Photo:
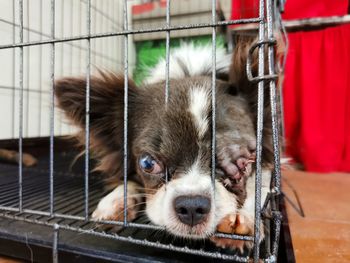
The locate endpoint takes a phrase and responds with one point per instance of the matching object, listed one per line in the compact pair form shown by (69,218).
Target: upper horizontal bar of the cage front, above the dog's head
(131,32)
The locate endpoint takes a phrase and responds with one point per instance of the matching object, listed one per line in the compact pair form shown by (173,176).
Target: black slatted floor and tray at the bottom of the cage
(34,242)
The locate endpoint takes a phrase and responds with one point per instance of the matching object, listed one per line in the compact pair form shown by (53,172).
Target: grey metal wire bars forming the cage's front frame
(267,17)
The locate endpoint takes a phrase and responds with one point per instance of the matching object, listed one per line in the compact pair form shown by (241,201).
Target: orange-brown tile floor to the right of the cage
(323,235)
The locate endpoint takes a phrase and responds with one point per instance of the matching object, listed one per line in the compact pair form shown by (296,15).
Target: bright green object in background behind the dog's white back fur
(149,52)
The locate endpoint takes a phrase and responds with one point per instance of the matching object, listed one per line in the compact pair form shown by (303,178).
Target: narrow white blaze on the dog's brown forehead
(199,106)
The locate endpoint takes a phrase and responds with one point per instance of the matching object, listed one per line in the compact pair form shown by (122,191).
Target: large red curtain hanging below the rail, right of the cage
(317,99)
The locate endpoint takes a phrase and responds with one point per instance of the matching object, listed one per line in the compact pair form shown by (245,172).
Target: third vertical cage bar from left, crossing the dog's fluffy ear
(87,109)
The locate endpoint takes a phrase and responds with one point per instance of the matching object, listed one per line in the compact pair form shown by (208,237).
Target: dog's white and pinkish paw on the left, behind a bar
(111,207)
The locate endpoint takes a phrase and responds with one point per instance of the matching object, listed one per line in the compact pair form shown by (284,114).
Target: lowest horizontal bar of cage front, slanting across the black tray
(129,239)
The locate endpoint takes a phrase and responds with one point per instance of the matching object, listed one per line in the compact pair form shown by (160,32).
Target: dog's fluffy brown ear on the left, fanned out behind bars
(106,115)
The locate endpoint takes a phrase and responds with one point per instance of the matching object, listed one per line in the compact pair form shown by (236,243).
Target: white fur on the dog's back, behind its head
(190,60)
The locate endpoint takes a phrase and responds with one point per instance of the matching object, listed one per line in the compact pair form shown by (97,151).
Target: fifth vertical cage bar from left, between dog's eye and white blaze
(167,65)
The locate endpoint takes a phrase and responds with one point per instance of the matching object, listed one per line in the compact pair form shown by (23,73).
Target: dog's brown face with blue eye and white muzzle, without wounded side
(174,144)
